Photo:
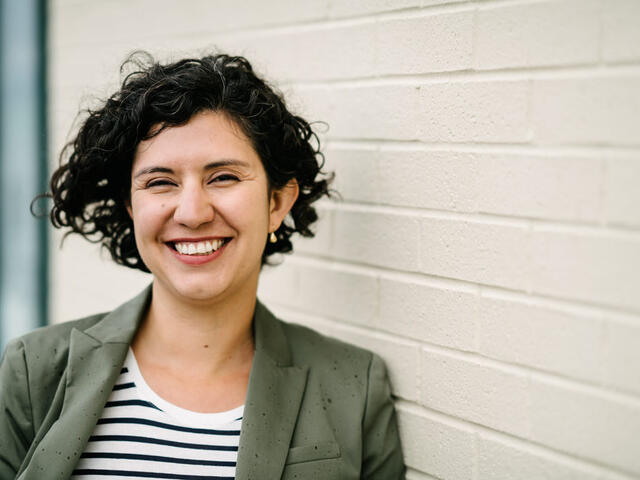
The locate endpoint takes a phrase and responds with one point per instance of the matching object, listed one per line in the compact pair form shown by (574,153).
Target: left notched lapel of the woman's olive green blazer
(95,359)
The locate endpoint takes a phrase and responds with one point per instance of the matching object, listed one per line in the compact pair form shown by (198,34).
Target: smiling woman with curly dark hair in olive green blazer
(196,172)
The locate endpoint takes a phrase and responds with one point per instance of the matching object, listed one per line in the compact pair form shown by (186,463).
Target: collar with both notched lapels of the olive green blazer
(276,387)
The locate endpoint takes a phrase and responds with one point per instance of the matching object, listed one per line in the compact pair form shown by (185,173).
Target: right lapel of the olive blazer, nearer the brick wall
(273,401)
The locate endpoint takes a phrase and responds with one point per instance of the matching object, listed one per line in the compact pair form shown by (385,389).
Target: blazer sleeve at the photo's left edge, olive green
(16,425)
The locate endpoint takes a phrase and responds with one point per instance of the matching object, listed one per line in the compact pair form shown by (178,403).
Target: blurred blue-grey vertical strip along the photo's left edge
(22,158)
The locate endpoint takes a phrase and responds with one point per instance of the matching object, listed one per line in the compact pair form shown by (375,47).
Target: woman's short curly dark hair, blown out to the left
(91,187)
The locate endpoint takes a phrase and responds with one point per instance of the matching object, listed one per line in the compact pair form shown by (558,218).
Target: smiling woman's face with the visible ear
(202,210)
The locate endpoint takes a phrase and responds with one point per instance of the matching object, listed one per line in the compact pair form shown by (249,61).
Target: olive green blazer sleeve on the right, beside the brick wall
(382,452)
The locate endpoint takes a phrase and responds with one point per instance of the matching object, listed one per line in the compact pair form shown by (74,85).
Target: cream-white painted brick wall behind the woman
(487,244)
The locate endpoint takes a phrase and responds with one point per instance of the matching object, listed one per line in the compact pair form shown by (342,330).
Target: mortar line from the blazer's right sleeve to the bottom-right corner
(520,443)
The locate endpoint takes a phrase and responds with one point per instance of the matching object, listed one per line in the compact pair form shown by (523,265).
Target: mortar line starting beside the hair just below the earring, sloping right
(568,306)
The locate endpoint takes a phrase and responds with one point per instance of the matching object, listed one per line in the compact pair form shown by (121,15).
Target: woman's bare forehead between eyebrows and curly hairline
(207,137)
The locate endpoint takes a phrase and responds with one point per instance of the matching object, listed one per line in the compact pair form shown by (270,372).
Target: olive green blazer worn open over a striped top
(315,407)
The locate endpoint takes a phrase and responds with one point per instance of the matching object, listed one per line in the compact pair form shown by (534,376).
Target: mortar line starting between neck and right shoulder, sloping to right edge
(605,392)
